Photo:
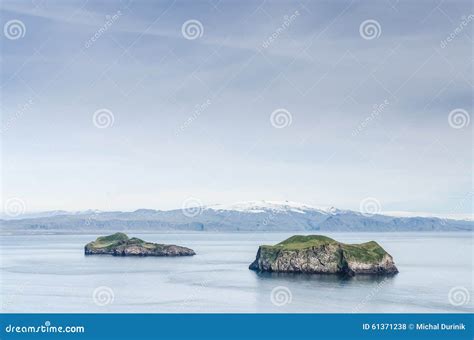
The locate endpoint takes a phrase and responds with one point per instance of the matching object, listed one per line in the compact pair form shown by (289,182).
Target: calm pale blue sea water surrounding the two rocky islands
(49,273)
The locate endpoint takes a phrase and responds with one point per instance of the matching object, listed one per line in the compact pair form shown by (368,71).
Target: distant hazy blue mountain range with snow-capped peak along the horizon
(245,216)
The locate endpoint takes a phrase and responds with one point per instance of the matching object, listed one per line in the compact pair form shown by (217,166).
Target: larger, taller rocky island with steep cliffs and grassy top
(316,254)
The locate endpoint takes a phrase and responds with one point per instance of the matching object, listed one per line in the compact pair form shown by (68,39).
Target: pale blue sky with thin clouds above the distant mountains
(120,105)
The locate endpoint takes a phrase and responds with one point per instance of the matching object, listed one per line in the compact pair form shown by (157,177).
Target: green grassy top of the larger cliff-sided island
(366,252)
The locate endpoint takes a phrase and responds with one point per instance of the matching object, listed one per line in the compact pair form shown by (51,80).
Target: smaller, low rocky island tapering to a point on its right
(119,244)
